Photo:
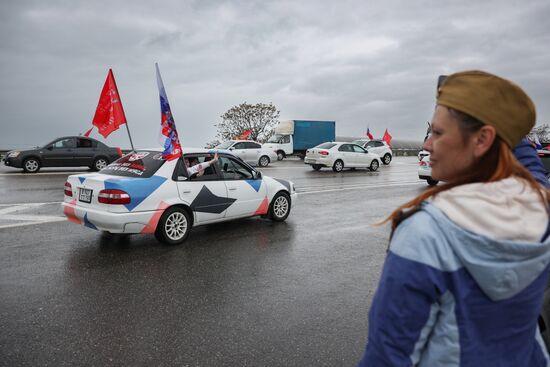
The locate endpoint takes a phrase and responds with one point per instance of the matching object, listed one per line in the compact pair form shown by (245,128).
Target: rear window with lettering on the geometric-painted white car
(136,164)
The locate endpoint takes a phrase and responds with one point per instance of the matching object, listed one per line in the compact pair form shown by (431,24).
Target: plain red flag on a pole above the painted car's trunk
(109,114)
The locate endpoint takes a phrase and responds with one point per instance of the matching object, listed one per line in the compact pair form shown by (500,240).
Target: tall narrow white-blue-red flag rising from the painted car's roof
(168,134)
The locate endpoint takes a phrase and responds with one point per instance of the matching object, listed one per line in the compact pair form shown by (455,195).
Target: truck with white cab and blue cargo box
(294,137)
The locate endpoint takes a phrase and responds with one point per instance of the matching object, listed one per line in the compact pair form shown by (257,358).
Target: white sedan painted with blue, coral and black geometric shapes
(143,193)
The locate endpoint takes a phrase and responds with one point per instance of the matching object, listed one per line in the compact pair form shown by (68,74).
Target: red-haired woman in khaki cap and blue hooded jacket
(468,262)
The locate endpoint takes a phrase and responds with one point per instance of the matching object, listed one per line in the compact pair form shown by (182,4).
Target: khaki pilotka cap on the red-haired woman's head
(492,100)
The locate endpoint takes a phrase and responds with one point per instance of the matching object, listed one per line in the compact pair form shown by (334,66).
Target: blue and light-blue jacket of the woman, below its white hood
(451,297)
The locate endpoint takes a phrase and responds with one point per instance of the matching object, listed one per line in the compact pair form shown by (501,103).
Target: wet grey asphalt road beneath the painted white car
(249,292)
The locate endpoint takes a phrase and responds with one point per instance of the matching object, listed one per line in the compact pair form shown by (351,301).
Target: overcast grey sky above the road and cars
(356,62)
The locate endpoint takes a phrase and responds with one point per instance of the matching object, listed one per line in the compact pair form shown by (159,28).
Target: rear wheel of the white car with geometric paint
(174,226)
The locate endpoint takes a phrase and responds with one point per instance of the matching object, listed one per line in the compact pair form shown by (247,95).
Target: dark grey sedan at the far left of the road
(68,151)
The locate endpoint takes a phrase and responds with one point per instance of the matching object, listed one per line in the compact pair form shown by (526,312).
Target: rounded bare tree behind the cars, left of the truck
(260,118)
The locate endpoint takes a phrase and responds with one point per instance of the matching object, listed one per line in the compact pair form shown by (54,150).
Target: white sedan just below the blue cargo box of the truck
(340,156)
